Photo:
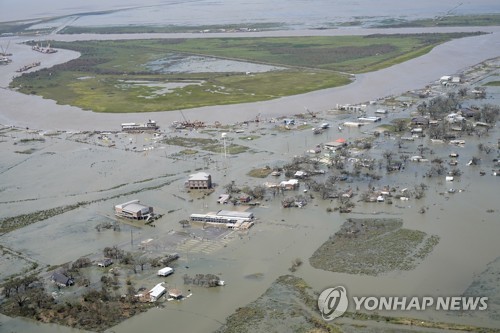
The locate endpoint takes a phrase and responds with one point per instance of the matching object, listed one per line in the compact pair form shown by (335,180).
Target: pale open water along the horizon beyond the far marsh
(291,13)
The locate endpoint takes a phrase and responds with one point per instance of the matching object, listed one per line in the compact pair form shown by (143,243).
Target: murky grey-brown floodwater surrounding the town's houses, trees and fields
(268,249)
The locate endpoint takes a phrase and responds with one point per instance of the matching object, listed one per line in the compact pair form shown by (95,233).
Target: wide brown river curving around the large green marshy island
(447,59)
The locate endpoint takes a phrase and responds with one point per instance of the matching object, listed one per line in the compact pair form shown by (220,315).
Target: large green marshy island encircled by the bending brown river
(112,76)
